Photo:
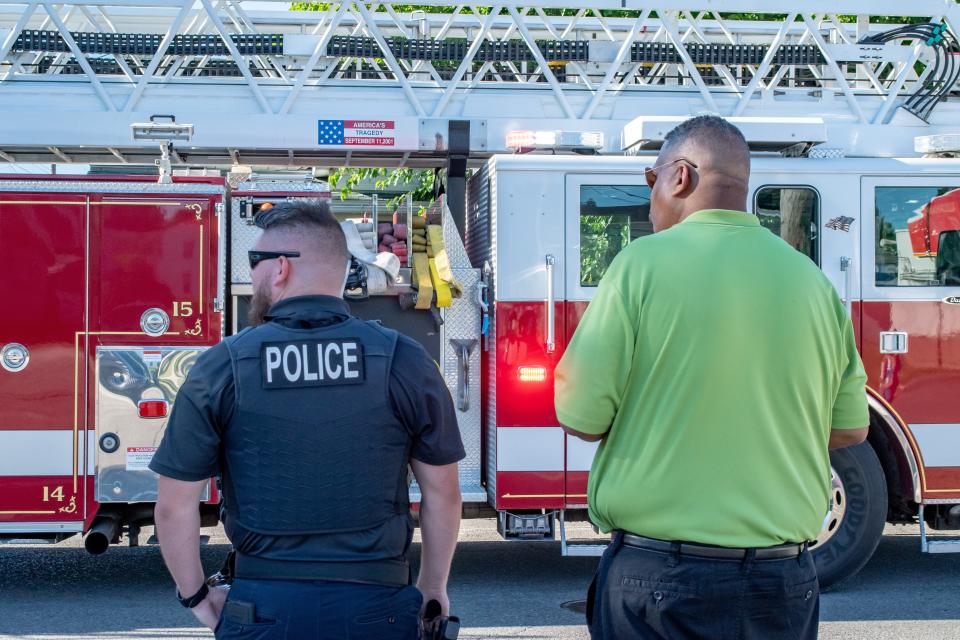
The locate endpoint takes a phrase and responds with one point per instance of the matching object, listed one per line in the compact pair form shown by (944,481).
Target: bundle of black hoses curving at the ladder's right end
(946,68)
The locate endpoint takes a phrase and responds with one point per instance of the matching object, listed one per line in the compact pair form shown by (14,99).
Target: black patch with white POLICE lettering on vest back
(311,363)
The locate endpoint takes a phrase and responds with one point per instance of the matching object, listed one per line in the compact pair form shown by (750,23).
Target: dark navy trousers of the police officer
(279,609)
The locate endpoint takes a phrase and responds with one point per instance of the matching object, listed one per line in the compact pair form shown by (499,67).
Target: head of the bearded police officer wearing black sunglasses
(312,230)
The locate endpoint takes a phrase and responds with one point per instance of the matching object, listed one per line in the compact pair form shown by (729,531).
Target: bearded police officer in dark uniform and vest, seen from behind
(311,417)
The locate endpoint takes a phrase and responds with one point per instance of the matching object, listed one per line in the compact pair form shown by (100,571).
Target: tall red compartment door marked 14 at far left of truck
(43,239)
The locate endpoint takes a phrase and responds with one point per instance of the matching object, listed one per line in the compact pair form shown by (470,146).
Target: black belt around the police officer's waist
(388,573)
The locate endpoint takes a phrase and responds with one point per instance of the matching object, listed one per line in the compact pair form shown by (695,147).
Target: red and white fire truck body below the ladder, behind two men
(133,279)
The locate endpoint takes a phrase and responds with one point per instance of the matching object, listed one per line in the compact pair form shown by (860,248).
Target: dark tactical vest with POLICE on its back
(314,445)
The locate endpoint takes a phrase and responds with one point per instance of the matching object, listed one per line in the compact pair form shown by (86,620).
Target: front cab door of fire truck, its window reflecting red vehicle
(911,285)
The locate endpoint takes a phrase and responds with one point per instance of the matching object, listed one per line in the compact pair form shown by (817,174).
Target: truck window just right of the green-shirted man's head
(791,213)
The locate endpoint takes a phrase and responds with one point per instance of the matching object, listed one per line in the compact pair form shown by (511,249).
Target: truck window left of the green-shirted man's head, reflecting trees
(611,216)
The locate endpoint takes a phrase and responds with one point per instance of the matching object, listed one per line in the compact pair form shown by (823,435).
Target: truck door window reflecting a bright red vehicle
(917,236)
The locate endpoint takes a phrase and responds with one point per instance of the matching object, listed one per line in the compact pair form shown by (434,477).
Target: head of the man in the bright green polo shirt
(704,164)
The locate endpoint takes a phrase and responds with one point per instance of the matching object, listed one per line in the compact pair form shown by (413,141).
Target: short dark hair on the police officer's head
(312,219)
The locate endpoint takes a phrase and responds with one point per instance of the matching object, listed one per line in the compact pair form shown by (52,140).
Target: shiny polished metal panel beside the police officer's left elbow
(125,441)
